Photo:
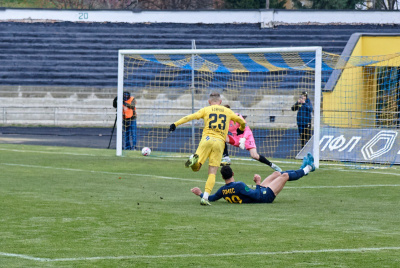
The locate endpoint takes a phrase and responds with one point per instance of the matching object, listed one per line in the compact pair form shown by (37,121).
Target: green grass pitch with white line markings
(67,207)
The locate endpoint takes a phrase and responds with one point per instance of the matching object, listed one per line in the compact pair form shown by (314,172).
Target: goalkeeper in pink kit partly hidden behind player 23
(244,141)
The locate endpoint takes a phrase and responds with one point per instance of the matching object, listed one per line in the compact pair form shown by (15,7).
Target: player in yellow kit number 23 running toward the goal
(216,124)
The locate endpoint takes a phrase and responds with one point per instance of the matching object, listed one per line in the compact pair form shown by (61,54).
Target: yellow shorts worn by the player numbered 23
(211,148)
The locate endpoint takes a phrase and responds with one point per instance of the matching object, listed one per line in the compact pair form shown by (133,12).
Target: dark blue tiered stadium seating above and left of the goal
(65,61)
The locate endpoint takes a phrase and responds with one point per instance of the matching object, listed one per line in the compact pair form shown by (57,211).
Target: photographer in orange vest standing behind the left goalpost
(129,120)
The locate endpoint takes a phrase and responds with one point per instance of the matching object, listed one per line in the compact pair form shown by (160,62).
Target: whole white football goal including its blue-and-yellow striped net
(261,83)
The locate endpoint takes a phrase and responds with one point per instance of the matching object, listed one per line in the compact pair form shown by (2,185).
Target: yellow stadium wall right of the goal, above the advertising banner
(359,45)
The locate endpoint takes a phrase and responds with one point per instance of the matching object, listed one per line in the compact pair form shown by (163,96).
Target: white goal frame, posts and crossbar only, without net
(317,100)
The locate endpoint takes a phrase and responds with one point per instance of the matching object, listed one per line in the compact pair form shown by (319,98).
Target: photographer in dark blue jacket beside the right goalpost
(304,108)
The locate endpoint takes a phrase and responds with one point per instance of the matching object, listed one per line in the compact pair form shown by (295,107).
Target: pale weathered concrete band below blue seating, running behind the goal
(154,111)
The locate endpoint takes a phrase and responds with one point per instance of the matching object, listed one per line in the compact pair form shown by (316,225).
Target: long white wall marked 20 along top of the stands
(265,17)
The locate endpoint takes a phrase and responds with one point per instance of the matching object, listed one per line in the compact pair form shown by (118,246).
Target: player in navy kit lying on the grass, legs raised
(265,192)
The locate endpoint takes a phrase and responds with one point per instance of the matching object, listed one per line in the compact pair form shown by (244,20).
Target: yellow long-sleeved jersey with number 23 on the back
(216,120)
